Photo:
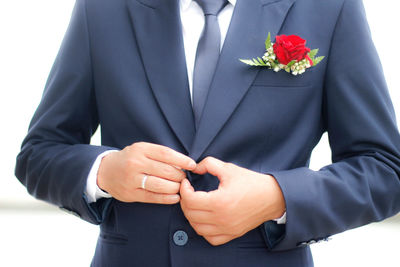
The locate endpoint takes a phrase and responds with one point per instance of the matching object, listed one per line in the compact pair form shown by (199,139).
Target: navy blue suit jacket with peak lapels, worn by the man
(122,66)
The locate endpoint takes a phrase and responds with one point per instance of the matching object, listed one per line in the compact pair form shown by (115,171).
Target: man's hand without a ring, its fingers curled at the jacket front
(244,200)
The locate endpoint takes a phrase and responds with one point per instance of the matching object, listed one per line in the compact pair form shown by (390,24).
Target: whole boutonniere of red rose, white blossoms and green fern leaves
(288,53)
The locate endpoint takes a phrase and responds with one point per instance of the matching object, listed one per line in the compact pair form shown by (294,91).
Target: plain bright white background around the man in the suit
(34,235)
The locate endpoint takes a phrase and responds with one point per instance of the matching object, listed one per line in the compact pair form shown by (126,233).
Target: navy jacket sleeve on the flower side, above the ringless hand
(362,184)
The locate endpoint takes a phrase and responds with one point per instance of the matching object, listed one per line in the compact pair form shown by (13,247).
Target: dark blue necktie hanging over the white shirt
(207,54)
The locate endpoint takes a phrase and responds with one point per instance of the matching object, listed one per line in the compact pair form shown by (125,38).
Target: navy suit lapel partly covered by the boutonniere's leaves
(250,24)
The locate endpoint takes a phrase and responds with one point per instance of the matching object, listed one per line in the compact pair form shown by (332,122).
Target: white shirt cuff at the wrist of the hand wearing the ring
(92,191)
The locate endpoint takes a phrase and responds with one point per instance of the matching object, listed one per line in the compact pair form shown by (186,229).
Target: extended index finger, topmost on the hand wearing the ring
(169,156)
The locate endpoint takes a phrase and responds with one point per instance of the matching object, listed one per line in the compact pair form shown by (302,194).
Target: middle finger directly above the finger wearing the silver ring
(163,170)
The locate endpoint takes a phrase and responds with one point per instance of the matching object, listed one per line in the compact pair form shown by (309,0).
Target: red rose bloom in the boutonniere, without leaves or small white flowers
(292,47)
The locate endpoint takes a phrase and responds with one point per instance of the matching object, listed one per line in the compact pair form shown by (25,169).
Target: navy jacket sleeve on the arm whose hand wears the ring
(56,157)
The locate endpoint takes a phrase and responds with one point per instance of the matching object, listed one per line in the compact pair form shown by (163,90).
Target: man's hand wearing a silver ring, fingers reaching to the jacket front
(121,173)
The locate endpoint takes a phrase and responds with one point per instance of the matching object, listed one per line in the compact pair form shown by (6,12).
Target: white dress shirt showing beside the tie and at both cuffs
(192,19)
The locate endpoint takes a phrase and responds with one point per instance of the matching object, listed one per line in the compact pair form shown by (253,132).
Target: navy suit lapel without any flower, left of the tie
(157,27)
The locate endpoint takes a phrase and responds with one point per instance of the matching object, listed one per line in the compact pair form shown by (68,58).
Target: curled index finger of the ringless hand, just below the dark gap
(195,200)
